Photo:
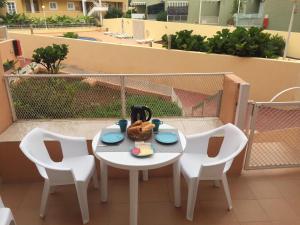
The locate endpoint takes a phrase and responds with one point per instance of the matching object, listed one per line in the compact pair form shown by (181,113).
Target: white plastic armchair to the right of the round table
(196,165)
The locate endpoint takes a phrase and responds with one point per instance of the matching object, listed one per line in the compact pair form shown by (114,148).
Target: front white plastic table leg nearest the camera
(134,182)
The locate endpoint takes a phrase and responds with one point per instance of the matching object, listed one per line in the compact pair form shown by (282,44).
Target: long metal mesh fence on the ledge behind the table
(112,95)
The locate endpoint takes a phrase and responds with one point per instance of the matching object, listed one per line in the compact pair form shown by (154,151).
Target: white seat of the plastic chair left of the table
(82,166)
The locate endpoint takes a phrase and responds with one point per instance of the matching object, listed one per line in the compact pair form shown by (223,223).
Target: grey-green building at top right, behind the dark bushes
(224,12)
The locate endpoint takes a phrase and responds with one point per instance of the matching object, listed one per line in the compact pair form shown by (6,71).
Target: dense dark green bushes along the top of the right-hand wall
(252,42)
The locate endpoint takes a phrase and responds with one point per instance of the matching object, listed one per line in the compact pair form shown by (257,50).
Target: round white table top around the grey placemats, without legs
(124,160)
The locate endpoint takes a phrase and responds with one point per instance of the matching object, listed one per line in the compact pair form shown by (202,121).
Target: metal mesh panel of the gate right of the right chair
(274,136)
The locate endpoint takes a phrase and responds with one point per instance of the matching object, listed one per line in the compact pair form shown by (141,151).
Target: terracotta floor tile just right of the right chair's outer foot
(249,211)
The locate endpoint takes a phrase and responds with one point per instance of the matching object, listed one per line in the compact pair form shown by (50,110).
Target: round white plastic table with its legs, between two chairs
(124,160)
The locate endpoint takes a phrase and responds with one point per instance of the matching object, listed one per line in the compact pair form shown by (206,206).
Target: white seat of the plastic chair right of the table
(191,163)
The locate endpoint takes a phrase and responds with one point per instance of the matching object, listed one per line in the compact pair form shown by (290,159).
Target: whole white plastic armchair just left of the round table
(76,167)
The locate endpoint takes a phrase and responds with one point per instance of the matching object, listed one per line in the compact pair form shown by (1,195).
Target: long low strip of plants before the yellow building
(22,19)
